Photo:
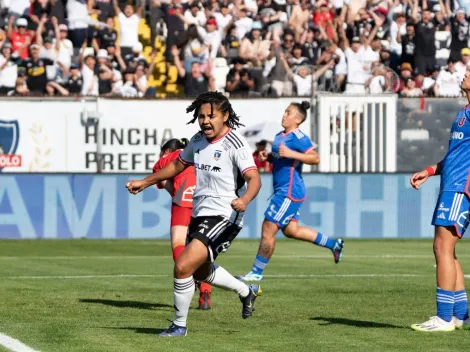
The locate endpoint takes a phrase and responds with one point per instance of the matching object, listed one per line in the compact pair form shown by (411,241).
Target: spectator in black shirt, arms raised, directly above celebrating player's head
(195,82)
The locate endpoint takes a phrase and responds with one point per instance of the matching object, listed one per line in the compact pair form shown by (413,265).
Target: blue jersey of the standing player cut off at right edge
(455,174)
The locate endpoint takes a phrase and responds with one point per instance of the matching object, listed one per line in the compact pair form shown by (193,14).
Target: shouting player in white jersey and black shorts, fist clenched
(223,163)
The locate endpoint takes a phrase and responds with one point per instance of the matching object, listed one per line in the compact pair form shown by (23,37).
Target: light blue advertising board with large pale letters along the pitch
(99,206)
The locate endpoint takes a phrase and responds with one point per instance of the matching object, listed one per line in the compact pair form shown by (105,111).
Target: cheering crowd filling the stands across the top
(244,47)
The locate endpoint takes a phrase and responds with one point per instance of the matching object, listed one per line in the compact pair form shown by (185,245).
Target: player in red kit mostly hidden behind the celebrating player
(181,189)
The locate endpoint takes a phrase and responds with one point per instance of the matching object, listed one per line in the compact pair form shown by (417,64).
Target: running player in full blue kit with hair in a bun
(291,148)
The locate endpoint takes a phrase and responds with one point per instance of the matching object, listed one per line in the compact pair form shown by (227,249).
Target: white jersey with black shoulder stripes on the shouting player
(219,165)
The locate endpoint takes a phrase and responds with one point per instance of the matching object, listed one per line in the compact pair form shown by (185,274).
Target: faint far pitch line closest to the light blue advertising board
(133,257)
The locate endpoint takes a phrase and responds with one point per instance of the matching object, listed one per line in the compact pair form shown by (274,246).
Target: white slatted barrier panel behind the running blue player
(357,133)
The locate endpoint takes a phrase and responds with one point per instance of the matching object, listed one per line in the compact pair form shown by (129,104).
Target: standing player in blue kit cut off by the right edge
(451,219)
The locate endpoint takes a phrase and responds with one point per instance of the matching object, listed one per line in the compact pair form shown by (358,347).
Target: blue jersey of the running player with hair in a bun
(287,173)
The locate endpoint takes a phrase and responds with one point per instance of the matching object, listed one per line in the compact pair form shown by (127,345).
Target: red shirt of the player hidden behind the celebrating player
(183,184)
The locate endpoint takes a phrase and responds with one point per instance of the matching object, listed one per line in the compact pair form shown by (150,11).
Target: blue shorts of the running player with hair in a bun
(282,210)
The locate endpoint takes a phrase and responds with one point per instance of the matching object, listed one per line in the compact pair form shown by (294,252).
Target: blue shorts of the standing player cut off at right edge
(452,209)
